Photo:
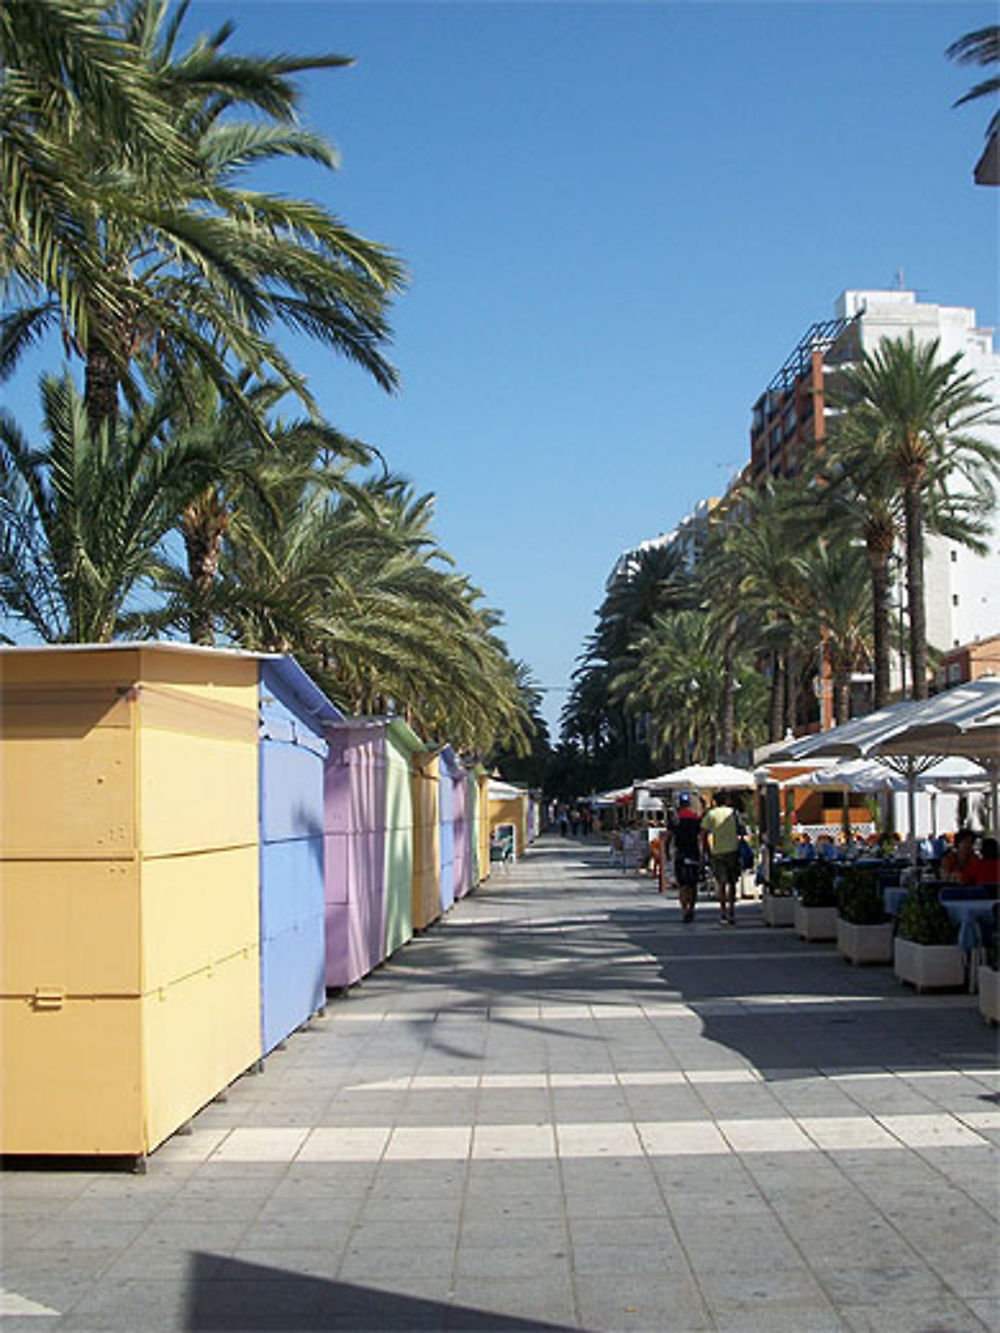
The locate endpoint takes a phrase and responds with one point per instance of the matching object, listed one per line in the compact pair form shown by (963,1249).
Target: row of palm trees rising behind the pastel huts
(173,493)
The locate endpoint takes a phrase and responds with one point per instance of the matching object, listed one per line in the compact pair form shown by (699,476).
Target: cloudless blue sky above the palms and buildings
(619,219)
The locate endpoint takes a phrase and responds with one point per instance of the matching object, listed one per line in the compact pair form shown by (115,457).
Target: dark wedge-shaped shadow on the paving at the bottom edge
(226,1294)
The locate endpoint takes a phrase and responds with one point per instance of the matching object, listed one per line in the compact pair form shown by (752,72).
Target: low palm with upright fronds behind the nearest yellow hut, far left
(83,517)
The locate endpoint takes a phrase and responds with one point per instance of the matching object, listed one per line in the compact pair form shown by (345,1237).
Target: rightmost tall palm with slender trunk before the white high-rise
(921,417)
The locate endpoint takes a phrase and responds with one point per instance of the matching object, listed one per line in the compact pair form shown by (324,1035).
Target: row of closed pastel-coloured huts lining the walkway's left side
(195,848)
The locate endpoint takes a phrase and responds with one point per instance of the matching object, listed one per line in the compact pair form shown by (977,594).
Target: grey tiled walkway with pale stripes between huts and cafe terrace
(561,1110)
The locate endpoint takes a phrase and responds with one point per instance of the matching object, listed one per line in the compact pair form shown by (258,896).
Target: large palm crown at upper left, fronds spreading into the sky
(170,257)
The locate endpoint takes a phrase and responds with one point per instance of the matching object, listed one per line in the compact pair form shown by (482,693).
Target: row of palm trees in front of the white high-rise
(793,590)
